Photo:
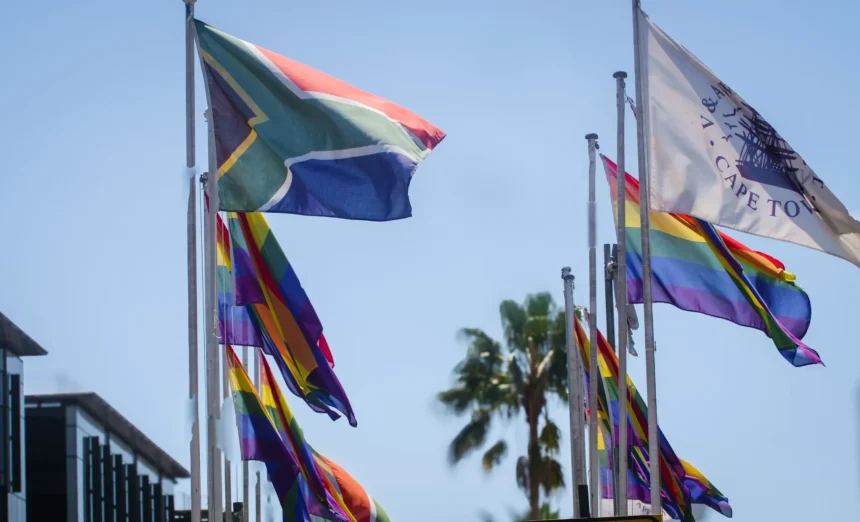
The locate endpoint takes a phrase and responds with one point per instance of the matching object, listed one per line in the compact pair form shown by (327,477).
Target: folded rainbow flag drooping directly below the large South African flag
(292,327)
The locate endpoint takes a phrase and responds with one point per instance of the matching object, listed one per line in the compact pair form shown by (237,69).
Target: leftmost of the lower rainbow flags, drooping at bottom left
(260,441)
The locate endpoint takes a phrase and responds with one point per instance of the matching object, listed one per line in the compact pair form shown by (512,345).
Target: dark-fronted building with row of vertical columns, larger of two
(87,463)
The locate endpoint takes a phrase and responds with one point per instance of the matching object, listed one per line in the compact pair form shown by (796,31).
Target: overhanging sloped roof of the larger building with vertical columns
(117,425)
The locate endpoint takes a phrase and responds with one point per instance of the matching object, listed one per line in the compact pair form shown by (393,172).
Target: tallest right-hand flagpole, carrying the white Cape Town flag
(645,218)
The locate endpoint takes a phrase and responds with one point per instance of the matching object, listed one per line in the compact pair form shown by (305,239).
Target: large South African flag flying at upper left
(292,139)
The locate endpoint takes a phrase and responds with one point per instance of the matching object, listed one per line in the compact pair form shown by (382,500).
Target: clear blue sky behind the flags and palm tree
(92,209)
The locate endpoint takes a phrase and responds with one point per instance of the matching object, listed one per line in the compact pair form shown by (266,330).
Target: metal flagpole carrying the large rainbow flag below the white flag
(594,372)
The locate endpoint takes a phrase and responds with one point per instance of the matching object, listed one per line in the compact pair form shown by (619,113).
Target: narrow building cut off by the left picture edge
(14,345)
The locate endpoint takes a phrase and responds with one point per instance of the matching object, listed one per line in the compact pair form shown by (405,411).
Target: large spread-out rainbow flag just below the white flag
(698,269)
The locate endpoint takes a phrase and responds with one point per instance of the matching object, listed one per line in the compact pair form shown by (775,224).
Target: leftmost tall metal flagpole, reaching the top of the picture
(190,162)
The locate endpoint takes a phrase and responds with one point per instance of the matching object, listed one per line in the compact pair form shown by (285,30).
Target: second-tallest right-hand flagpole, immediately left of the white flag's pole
(621,281)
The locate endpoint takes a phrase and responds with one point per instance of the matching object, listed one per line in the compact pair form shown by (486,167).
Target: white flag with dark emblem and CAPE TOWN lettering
(713,156)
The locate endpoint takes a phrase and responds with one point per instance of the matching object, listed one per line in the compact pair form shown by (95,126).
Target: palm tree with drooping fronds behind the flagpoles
(496,383)
